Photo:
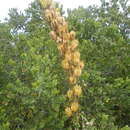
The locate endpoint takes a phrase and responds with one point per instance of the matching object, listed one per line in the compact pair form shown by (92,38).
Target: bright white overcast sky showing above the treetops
(5,5)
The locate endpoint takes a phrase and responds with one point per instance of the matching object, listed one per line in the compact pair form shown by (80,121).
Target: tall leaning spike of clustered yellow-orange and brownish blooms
(68,48)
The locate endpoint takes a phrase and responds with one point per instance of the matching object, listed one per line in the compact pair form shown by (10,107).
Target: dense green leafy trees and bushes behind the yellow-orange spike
(33,83)
